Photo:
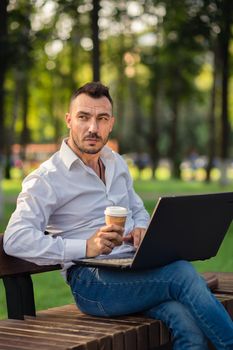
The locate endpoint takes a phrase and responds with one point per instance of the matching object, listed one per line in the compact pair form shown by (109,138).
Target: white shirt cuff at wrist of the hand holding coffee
(74,249)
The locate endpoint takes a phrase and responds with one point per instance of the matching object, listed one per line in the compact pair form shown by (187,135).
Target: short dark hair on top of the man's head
(94,89)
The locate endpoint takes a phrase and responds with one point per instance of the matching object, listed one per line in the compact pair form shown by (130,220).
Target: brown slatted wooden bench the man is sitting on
(68,328)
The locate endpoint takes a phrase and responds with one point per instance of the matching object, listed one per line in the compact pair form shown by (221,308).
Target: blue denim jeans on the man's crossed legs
(175,294)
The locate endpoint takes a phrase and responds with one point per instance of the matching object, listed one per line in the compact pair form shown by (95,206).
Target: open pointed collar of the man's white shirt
(69,157)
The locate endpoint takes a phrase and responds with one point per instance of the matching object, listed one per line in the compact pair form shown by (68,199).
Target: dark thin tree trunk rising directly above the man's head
(95,39)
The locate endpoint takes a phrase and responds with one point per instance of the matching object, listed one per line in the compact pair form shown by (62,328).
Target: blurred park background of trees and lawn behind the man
(169,66)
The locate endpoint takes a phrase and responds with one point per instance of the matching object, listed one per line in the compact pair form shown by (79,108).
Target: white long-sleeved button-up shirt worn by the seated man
(67,198)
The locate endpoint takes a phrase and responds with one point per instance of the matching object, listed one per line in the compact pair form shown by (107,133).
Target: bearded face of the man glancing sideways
(90,122)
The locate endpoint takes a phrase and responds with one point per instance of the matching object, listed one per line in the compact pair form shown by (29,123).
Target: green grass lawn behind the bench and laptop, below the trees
(50,289)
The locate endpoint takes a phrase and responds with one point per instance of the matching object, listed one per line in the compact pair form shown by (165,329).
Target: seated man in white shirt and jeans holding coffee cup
(67,196)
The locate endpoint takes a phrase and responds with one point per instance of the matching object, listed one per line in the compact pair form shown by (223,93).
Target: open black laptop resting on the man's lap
(190,227)
